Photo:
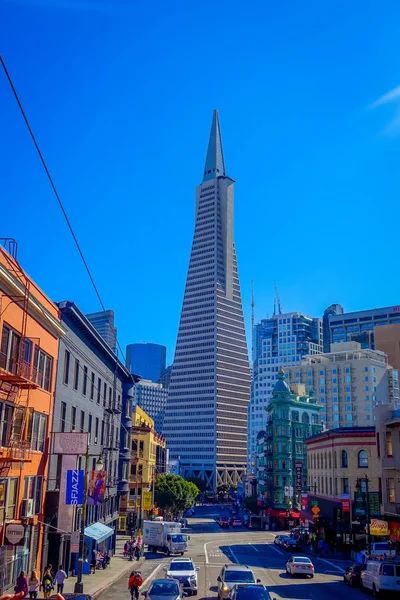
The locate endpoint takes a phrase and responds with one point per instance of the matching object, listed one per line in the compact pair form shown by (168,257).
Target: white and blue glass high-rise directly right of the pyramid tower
(280,341)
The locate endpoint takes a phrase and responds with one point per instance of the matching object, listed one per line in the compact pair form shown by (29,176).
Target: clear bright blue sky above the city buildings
(120,94)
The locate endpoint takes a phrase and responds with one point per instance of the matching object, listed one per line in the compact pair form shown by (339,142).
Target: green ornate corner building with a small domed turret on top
(281,463)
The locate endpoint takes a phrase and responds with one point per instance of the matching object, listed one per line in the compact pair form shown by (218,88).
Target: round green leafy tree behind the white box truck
(174,495)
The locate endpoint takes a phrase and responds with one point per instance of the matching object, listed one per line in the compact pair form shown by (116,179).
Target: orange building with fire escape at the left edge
(30,330)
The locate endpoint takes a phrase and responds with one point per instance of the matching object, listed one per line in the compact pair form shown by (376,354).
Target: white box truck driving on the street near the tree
(164,536)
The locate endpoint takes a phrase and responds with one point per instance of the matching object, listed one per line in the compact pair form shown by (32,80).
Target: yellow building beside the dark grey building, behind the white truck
(148,459)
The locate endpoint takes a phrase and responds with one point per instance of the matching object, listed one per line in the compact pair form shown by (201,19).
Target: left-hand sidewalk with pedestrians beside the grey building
(103,578)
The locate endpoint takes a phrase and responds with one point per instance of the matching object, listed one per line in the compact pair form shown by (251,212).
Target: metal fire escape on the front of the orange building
(17,374)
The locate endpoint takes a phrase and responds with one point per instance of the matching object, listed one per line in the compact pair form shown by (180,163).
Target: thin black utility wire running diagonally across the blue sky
(53,186)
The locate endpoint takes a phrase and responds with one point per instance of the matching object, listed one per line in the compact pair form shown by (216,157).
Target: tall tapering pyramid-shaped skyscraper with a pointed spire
(206,418)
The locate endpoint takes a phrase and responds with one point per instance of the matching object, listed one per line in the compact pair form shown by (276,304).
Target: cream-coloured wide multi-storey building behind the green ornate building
(348,383)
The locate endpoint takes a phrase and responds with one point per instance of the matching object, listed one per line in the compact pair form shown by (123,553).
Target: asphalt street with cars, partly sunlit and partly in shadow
(211,547)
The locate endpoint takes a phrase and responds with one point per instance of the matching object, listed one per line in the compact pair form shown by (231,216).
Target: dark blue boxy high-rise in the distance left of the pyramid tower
(147,360)
